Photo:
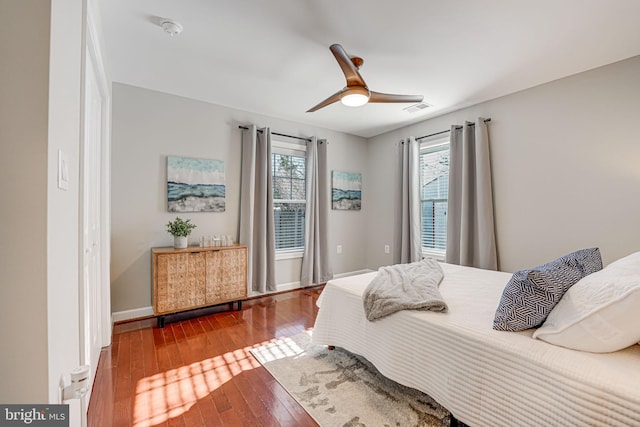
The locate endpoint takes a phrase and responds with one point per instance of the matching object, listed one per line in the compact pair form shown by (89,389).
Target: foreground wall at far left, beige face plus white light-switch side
(40,98)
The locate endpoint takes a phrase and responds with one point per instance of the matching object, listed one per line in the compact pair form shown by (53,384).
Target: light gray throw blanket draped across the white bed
(398,287)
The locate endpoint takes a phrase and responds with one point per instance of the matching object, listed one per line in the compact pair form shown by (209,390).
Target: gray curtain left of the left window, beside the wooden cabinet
(256,208)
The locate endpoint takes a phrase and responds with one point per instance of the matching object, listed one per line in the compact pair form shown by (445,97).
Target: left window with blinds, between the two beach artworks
(289,195)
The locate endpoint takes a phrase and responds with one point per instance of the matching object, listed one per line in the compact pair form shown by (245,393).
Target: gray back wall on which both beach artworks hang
(147,127)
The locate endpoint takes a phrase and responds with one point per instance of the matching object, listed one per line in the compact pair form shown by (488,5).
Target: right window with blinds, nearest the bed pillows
(434,188)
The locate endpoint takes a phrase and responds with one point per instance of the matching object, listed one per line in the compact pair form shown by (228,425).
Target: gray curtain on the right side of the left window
(316,264)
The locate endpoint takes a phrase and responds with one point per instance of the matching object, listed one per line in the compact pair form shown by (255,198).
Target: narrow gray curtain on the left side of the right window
(407,242)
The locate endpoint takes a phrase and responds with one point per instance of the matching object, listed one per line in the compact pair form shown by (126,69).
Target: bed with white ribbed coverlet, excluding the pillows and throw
(484,377)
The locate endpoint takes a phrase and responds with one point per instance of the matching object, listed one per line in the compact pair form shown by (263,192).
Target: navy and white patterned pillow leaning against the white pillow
(531,294)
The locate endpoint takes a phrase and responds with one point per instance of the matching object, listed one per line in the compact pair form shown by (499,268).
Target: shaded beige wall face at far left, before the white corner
(23,230)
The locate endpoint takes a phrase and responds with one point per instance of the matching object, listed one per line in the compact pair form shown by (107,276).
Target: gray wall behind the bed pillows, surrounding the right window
(566,168)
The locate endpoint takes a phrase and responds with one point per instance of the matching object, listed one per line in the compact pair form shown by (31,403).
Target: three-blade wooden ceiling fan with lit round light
(356,92)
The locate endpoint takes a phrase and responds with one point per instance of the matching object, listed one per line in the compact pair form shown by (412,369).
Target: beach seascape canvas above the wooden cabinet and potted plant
(195,185)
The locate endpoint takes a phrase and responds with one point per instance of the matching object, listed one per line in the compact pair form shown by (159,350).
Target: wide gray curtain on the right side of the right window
(470,227)
